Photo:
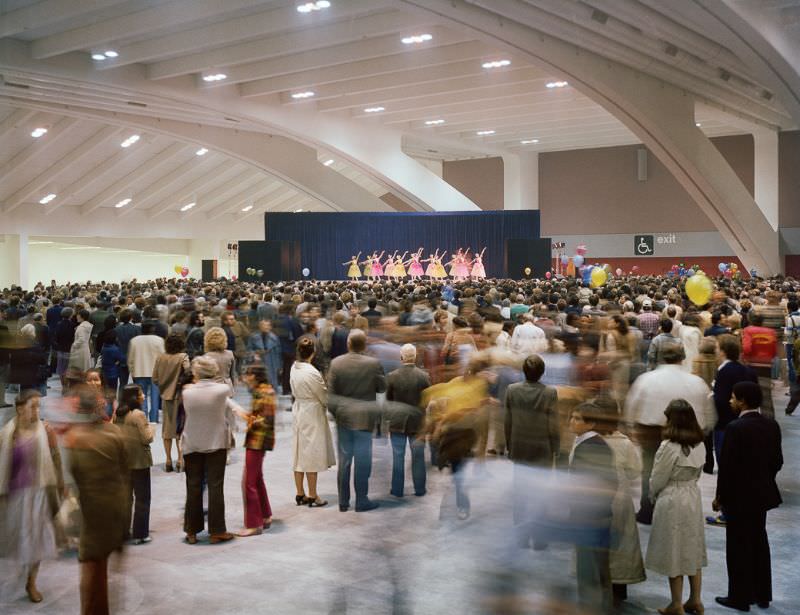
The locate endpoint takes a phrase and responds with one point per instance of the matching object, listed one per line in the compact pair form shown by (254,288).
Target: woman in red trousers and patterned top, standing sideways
(259,439)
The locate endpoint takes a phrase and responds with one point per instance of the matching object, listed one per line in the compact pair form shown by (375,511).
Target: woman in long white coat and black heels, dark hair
(312,444)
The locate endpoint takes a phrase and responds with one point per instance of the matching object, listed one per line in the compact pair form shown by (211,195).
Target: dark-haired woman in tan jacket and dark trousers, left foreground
(138,435)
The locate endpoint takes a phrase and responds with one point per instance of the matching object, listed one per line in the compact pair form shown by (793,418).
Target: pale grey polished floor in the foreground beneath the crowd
(409,556)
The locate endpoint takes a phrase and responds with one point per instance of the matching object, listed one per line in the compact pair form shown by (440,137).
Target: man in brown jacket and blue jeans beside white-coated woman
(353,382)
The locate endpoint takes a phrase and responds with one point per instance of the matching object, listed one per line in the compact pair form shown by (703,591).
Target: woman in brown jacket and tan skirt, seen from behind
(170,372)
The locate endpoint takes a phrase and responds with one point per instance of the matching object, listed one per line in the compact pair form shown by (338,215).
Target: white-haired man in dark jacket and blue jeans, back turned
(404,388)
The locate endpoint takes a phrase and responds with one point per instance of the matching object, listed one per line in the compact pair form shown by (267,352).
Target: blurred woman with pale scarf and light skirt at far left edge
(31,483)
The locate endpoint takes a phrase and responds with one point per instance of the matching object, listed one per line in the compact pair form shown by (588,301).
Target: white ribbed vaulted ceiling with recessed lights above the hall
(352,57)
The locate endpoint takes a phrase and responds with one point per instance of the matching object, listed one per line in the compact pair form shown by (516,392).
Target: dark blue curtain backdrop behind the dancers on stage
(329,239)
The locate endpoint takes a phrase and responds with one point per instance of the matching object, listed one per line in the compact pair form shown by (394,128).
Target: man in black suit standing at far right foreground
(746,489)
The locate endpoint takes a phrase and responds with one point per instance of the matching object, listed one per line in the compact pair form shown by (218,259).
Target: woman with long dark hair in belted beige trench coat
(677,545)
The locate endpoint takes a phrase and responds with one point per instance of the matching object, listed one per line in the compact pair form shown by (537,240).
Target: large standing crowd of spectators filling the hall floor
(612,385)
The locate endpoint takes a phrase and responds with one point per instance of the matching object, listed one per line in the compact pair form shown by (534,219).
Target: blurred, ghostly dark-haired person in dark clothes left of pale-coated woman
(592,461)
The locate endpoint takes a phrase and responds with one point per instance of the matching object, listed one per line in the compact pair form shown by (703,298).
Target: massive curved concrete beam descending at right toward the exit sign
(659,114)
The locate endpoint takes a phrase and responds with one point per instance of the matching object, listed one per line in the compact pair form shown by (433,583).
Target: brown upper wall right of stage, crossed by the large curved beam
(593,191)
